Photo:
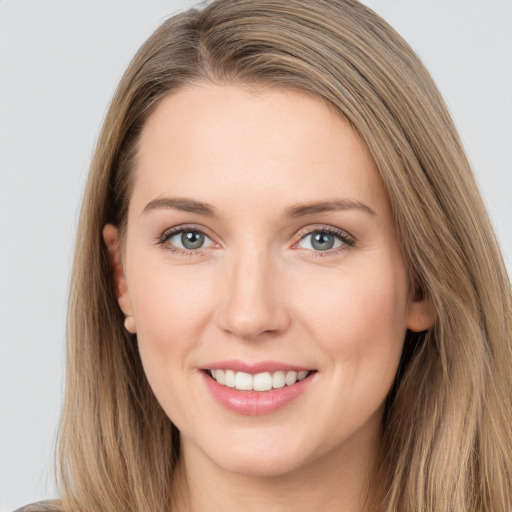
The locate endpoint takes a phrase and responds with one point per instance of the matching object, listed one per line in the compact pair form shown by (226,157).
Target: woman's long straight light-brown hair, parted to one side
(446,434)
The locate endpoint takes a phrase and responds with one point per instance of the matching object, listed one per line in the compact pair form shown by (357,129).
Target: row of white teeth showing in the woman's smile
(264,381)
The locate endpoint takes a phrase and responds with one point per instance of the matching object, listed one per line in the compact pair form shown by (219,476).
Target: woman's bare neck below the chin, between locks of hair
(337,481)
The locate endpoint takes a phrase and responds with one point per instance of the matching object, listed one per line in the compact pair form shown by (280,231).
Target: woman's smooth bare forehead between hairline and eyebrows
(216,142)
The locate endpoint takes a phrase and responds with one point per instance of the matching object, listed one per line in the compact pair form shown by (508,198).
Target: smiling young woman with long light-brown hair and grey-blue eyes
(286,289)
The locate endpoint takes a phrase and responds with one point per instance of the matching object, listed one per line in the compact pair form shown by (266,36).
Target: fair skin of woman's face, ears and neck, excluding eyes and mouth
(258,290)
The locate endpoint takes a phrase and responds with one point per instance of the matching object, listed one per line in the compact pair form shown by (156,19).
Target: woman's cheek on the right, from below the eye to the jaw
(358,323)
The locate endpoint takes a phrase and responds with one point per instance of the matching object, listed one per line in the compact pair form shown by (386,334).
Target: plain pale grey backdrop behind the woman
(59,64)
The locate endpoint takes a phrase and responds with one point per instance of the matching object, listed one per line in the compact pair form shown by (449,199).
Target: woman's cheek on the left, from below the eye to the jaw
(172,308)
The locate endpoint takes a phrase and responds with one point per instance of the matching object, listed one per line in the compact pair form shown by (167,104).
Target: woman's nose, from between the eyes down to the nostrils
(254,302)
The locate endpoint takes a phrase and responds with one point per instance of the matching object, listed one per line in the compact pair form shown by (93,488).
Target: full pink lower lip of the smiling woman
(255,403)
